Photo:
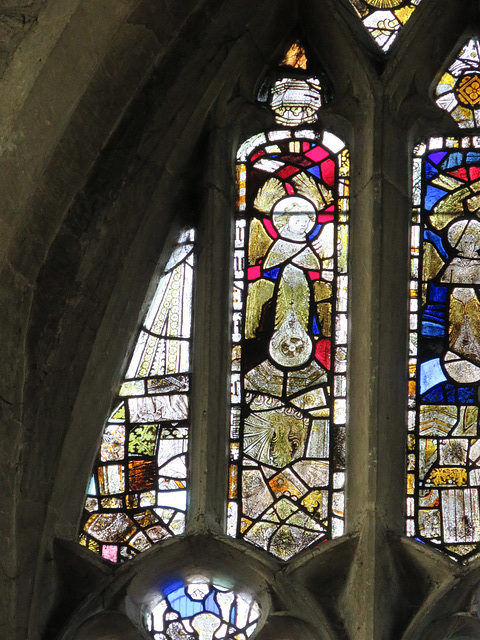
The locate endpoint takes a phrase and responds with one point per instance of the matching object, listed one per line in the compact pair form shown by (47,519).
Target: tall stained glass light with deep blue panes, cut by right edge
(443,506)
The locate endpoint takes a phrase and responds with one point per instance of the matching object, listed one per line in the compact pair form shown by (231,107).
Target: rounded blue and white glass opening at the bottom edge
(202,609)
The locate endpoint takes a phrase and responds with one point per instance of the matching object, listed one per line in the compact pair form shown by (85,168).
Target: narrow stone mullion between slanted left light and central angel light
(211,348)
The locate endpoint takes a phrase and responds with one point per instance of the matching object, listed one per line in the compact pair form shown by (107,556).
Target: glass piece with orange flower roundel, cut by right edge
(458,91)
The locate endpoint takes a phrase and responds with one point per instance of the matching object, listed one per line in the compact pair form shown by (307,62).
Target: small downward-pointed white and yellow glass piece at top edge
(384,18)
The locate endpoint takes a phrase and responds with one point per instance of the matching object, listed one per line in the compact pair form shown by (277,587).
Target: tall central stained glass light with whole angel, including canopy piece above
(290,329)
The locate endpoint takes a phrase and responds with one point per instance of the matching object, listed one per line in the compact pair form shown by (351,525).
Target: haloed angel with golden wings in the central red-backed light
(293,253)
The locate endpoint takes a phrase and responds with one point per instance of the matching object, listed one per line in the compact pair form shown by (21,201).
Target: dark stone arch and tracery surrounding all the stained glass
(119,126)
